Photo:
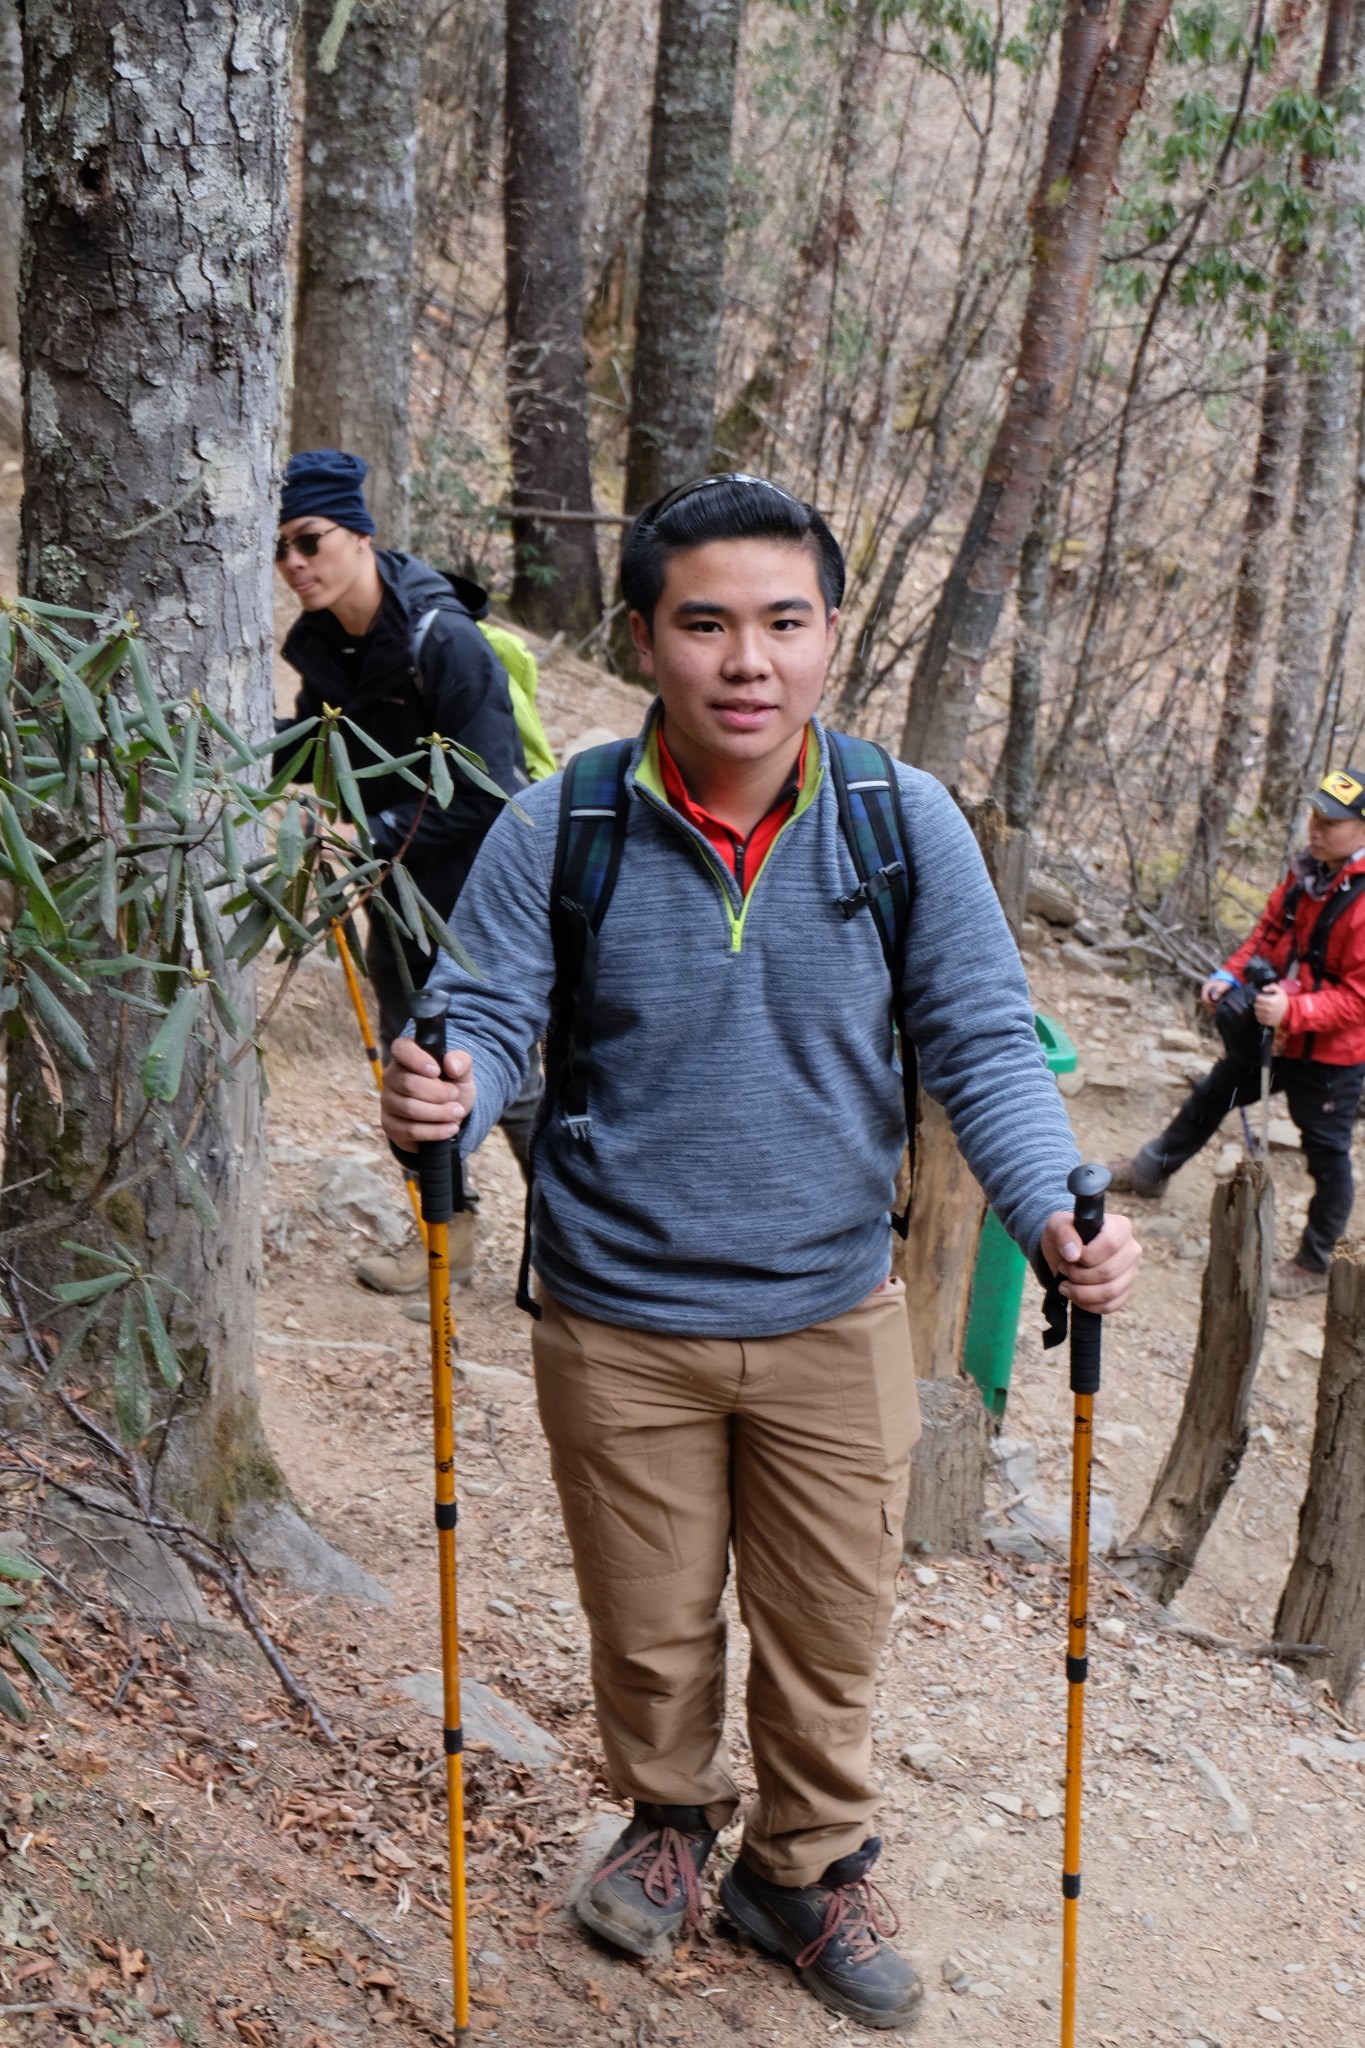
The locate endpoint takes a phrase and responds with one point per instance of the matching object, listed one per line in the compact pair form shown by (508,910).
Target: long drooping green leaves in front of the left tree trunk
(148,855)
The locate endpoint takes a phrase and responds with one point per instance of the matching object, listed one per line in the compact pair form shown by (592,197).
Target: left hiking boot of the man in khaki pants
(650,1885)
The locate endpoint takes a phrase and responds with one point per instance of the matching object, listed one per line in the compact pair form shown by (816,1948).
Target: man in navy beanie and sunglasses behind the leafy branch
(400,652)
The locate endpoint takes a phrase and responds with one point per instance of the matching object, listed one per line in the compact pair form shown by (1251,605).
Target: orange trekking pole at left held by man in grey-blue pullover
(443,1193)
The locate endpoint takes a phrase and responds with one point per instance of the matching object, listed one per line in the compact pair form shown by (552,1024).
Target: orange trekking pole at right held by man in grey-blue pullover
(1088,1185)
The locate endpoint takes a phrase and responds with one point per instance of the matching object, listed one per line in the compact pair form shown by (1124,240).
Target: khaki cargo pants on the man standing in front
(795,1455)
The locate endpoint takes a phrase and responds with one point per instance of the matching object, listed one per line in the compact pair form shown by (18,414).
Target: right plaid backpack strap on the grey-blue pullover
(873,824)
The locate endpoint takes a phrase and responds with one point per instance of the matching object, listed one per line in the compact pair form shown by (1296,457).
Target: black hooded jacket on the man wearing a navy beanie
(461,693)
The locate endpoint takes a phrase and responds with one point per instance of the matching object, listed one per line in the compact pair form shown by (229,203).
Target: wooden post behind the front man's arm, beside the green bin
(936,1263)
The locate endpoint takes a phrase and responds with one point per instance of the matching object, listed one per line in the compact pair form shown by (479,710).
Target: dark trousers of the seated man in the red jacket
(1323,1103)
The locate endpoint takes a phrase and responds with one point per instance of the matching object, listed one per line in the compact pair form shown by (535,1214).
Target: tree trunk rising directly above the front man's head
(682,263)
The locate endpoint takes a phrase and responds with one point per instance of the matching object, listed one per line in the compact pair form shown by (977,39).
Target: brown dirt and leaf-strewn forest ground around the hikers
(185,1861)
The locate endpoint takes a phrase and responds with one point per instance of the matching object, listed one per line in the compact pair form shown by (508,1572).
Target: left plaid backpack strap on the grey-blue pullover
(592,837)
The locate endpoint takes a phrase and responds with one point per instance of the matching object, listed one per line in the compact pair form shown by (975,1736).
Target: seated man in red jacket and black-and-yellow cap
(1313,933)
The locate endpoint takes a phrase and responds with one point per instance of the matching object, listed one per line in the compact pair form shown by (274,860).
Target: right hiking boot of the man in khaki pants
(836,1934)
